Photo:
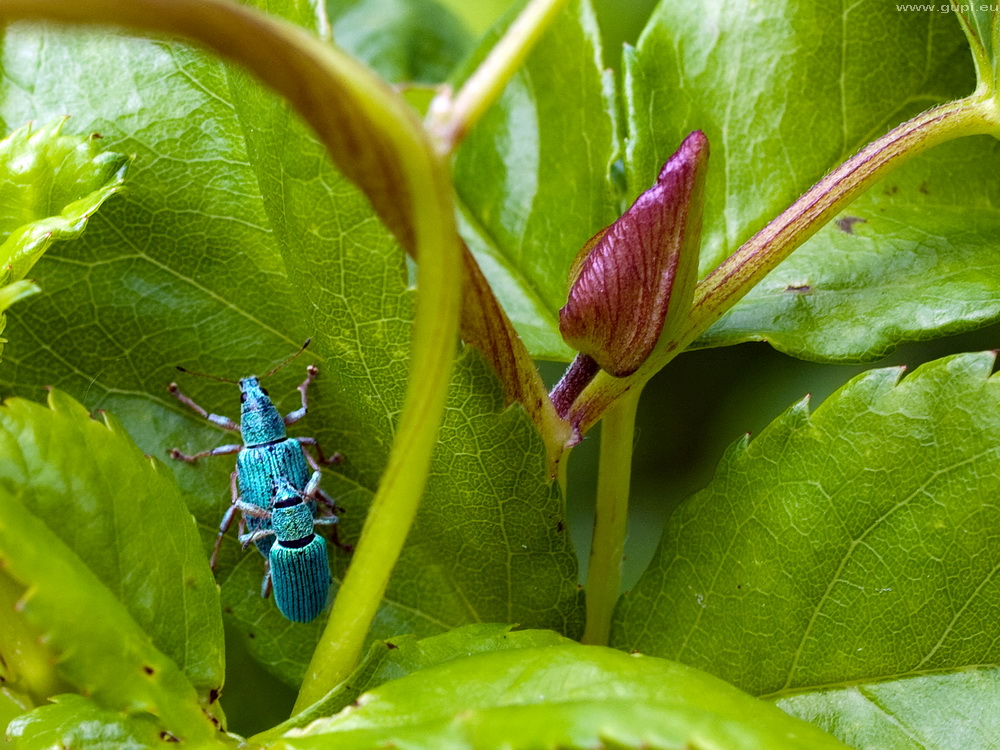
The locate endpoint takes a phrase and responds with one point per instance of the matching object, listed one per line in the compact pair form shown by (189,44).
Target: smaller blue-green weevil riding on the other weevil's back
(297,563)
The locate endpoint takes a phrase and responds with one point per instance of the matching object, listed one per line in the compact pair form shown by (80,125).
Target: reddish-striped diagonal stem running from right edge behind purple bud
(759,255)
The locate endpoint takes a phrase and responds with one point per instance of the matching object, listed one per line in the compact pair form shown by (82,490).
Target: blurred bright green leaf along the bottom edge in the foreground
(565,696)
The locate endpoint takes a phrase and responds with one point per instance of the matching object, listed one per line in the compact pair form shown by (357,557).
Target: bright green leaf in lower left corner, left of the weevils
(115,578)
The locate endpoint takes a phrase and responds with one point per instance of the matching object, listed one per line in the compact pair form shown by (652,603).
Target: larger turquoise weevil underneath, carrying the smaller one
(266,457)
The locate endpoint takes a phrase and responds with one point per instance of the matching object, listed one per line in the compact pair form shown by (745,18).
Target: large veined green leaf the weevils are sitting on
(233,207)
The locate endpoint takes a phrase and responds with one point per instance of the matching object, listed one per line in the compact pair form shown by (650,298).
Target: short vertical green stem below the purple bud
(604,572)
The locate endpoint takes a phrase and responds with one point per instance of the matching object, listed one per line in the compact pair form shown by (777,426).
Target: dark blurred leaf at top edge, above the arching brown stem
(404,41)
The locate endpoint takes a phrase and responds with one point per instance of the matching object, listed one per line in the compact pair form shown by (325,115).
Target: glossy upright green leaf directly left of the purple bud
(532,178)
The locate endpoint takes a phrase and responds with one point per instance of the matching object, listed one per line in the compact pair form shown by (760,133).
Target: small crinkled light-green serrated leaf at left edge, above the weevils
(50,184)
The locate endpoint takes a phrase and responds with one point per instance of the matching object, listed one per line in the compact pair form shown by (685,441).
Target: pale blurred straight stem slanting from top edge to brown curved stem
(449,118)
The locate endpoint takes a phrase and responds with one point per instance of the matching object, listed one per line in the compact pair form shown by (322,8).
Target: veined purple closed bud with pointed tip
(633,282)
